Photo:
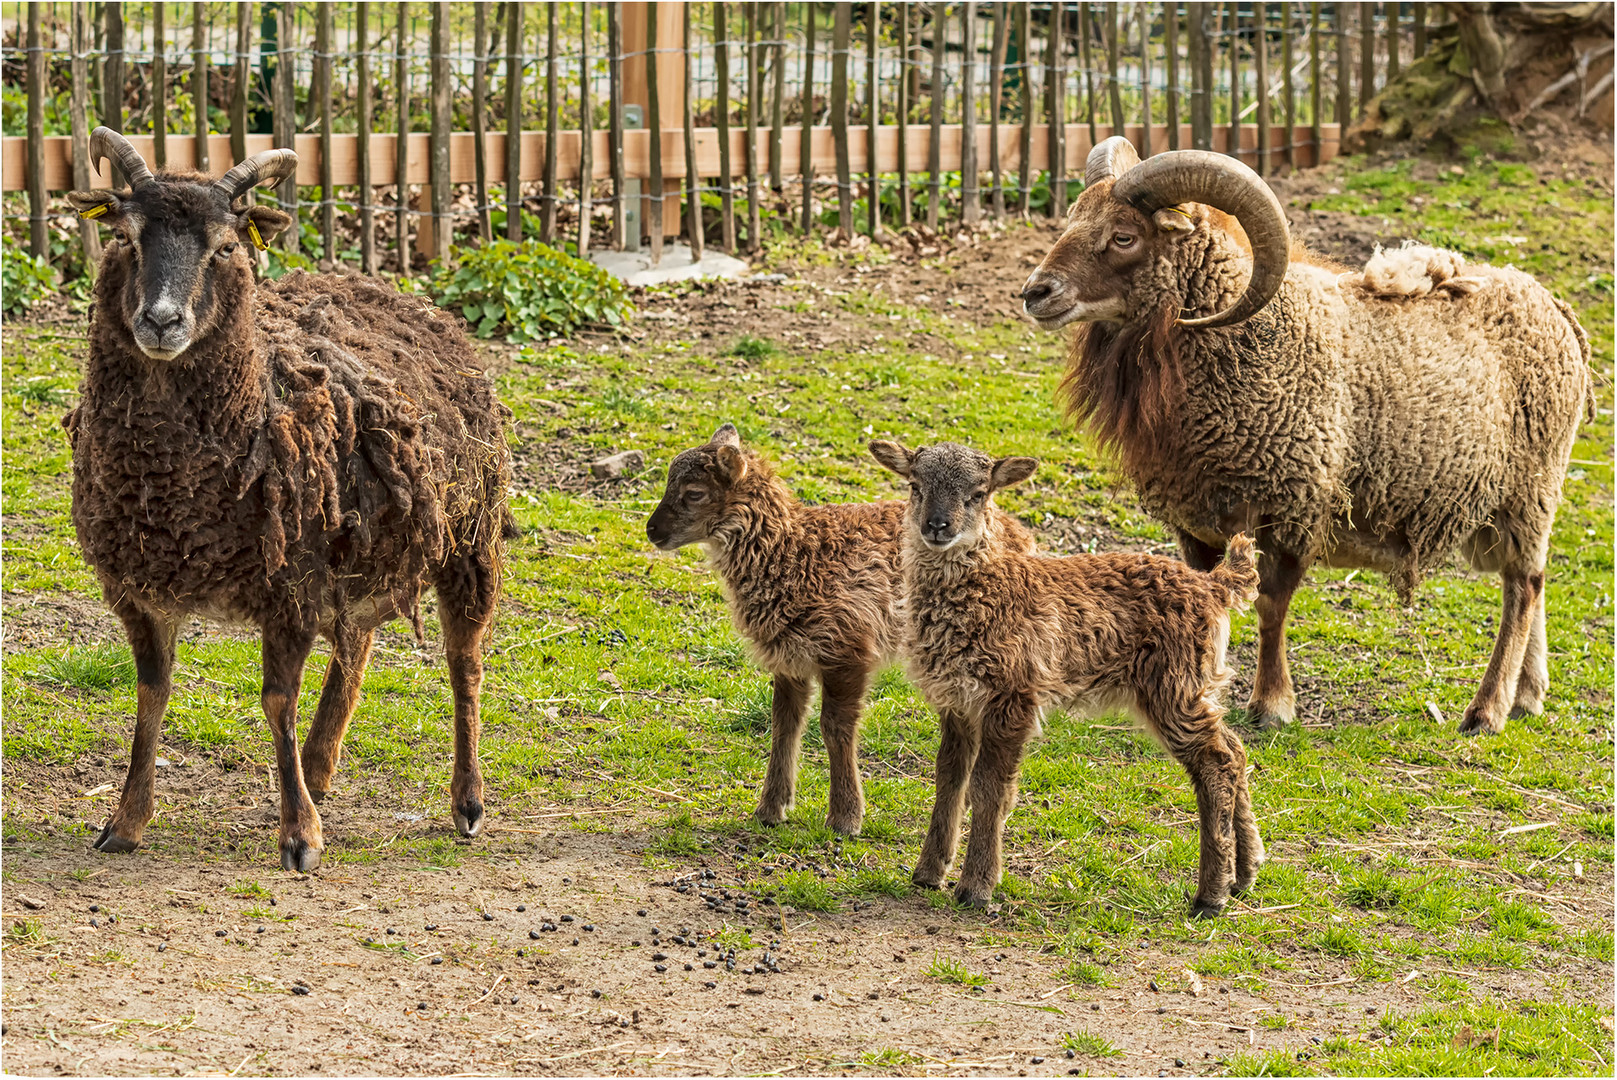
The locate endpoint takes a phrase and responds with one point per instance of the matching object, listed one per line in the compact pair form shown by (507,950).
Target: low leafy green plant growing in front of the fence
(528,292)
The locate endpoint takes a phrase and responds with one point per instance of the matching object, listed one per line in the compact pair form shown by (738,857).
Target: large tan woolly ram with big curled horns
(1375,418)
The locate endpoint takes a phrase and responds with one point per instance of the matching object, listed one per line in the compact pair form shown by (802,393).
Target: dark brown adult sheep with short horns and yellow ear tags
(303,457)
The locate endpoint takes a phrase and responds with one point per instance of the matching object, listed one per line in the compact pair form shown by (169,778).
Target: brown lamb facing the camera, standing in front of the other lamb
(998,636)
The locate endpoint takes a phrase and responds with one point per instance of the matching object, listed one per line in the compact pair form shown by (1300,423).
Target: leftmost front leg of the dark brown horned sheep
(153,643)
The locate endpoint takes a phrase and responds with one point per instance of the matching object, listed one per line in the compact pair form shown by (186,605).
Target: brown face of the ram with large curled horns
(1102,266)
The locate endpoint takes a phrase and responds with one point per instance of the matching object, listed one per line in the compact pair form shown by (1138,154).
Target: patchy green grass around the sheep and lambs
(1387,830)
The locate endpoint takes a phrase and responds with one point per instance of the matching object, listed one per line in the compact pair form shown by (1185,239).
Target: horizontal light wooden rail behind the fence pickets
(345,161)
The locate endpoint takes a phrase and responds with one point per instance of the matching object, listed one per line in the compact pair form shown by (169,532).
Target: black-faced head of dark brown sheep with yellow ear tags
(185,256)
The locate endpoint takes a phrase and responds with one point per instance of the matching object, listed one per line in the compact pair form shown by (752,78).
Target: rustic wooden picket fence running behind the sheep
(863,117)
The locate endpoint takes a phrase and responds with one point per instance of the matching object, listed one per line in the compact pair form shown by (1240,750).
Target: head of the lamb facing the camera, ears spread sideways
(952,489)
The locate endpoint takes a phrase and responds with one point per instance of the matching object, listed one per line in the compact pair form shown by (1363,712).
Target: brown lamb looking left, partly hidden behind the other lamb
(813,589)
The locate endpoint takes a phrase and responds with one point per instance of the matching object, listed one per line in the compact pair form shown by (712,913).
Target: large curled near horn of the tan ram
(1225,184)
